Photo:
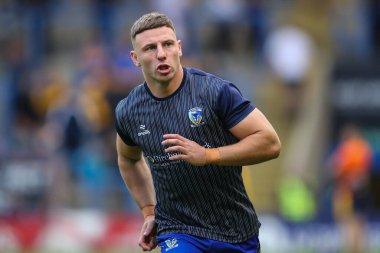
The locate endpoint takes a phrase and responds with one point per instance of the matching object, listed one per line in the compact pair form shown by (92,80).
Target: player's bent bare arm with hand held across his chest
(258,142)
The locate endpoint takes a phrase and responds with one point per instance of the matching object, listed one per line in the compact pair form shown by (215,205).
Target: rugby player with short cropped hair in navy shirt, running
(196,131)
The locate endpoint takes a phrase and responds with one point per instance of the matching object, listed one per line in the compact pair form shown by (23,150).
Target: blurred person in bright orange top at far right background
(351,163)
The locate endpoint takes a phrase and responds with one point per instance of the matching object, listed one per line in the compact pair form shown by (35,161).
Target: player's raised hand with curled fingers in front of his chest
(188,150)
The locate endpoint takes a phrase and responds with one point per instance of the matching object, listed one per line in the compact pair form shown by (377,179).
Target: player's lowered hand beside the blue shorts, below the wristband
(147,240)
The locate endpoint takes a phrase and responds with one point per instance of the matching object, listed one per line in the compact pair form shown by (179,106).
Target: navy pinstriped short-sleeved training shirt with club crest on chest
(206,201)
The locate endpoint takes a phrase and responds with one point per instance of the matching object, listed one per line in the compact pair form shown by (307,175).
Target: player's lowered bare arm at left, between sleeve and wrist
(135,173)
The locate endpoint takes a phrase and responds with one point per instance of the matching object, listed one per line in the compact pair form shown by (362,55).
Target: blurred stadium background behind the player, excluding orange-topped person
(310,66)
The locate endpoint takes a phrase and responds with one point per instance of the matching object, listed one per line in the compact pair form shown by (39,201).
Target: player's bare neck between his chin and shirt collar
(165,89)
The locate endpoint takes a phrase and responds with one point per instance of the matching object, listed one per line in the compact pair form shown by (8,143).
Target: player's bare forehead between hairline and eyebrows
(154,36)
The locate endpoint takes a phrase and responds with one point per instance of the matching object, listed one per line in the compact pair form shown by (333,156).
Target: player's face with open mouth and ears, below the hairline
(158,52)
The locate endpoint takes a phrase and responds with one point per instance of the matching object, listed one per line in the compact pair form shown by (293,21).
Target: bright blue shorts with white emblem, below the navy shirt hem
(184,243)
